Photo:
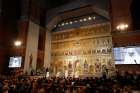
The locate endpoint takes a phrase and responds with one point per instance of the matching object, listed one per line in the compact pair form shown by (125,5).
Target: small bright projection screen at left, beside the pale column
(15,62)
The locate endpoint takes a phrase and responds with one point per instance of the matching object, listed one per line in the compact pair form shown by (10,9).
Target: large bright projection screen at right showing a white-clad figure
(127,55)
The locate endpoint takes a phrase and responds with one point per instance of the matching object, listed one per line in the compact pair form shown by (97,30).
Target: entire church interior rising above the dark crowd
(70,37)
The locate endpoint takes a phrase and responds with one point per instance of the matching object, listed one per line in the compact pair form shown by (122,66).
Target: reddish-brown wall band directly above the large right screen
(126,38)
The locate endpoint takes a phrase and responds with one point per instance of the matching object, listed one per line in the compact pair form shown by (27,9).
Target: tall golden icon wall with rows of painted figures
(82,52)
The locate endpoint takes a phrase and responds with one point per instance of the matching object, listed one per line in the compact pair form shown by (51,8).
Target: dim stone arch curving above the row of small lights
(57,15)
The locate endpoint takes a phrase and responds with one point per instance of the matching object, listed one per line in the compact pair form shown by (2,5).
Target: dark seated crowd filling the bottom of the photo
(126,83)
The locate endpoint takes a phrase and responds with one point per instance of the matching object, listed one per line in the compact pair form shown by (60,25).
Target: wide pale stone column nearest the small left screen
(31,47)
